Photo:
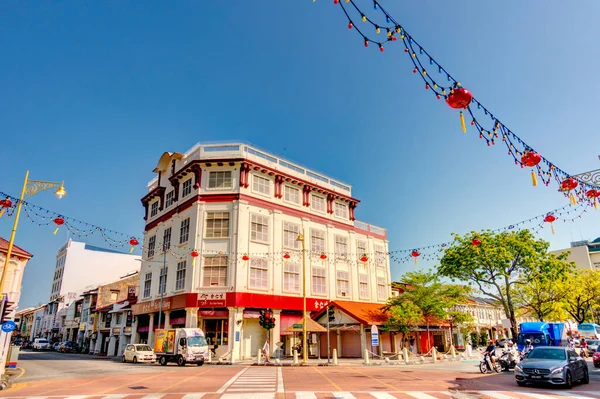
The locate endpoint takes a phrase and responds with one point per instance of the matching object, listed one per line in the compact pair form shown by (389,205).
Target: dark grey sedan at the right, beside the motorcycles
(552,365)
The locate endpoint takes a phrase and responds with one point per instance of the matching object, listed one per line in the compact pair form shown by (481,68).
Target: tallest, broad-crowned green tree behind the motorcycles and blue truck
(500,263)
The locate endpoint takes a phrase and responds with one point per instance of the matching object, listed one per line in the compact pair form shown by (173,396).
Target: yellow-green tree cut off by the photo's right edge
(582,298)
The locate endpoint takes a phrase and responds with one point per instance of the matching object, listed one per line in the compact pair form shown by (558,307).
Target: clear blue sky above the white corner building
(94,92)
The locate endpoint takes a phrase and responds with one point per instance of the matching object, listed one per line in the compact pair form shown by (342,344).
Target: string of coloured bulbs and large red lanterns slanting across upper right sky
(490,128)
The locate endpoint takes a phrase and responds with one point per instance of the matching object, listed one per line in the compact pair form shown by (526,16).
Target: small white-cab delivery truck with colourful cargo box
(181,346)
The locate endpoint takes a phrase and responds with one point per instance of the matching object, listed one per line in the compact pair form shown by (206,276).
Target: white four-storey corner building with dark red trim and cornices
(241,211)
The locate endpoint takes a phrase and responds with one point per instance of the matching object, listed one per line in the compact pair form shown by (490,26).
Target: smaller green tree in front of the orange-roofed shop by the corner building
(425,292)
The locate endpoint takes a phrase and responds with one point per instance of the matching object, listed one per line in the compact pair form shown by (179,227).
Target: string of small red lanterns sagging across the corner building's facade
(114,239)
